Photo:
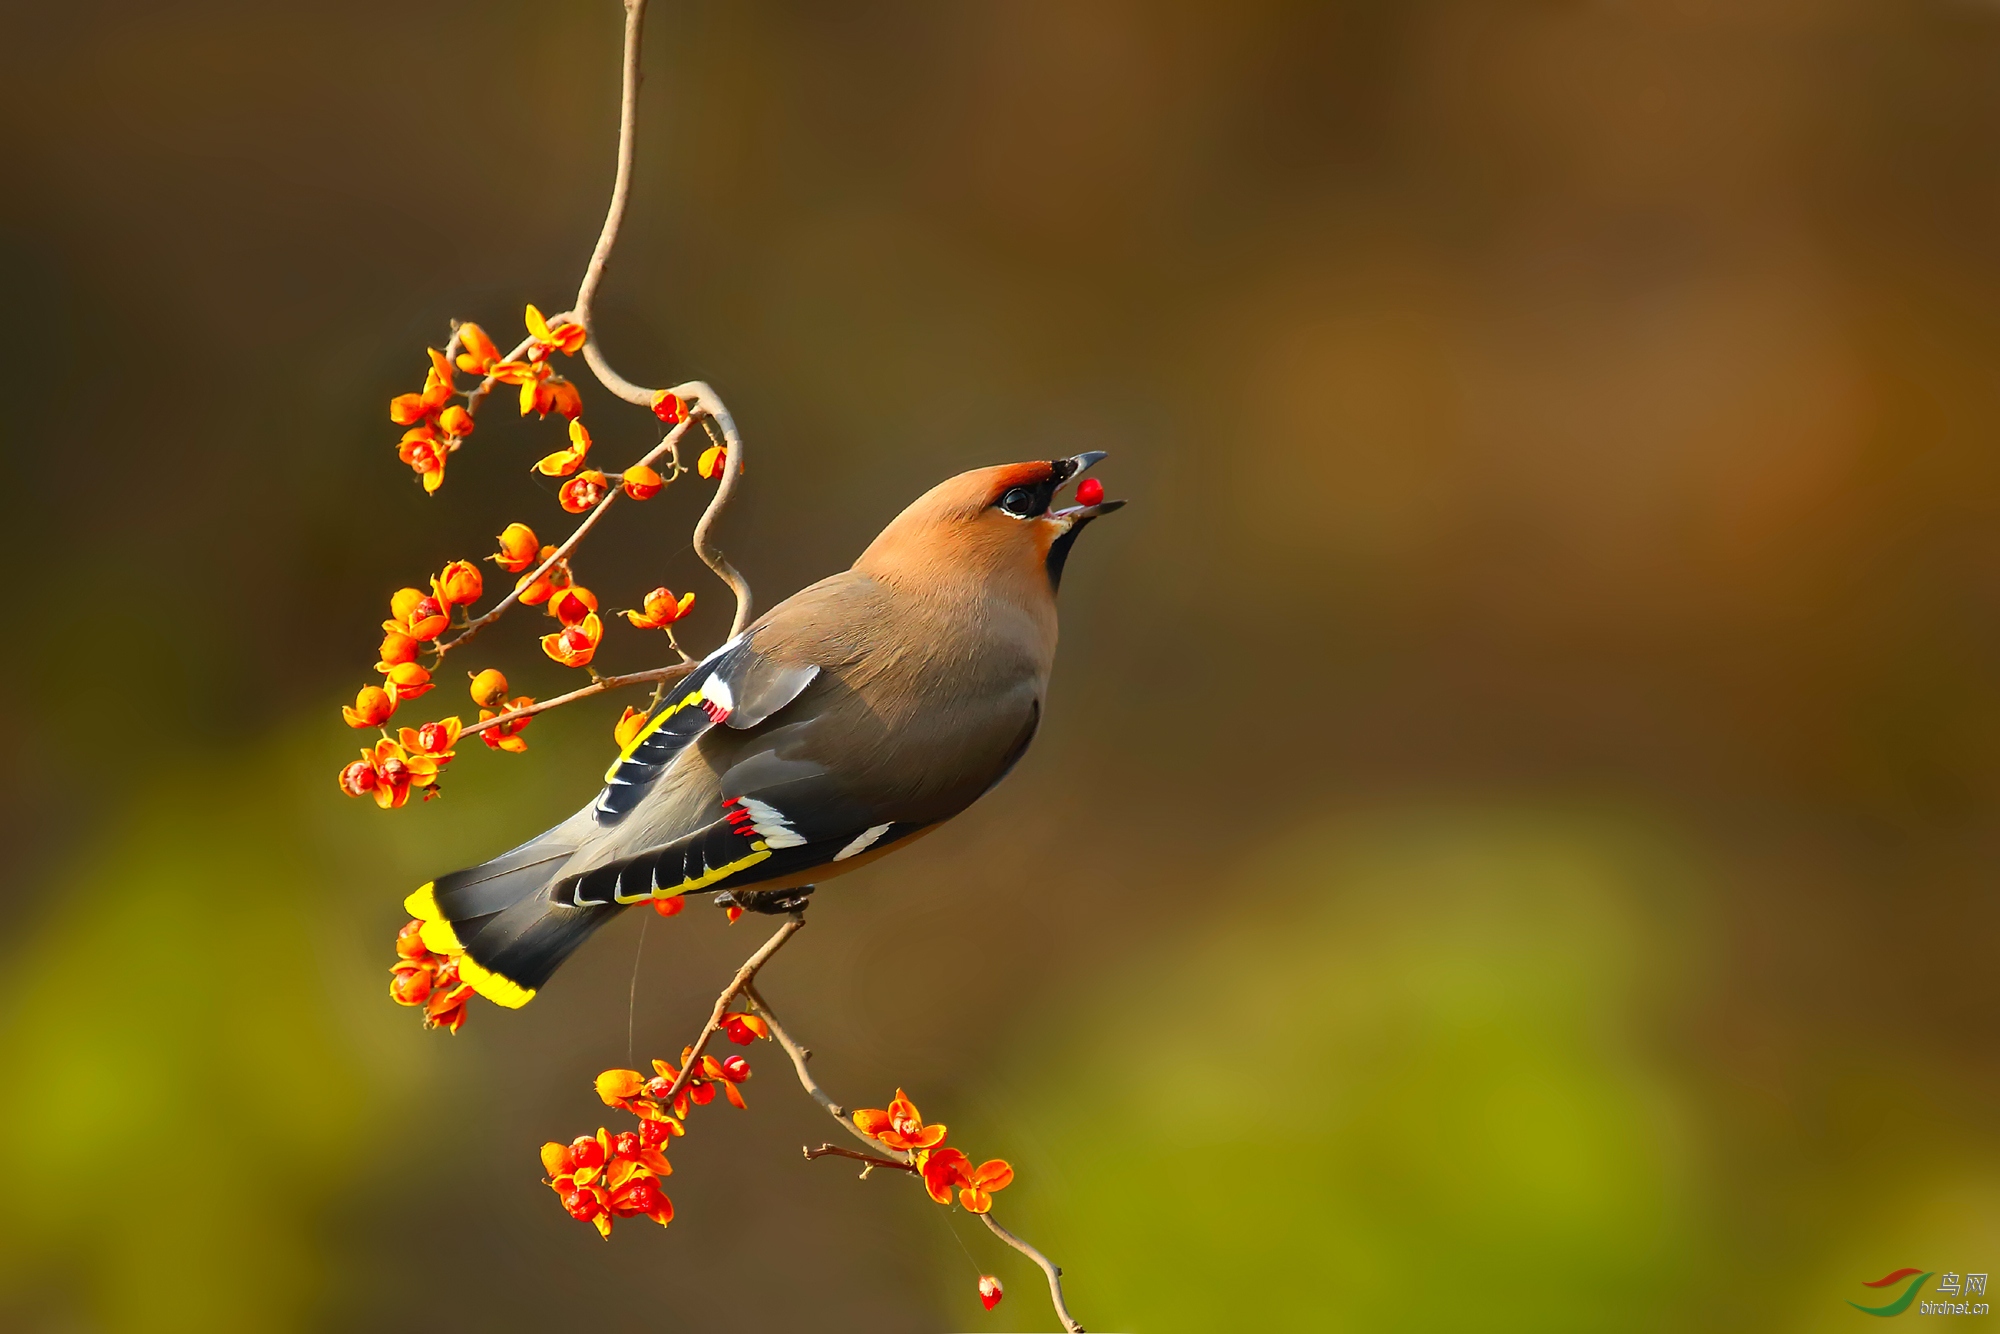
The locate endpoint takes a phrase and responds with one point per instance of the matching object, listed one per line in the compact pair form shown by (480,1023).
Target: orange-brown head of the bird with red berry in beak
(997,525)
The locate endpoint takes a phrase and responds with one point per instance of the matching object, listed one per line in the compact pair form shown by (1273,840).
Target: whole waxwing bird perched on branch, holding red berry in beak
(847,723)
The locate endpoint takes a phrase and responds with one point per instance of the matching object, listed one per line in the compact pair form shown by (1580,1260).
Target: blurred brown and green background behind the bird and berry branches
(1513,837)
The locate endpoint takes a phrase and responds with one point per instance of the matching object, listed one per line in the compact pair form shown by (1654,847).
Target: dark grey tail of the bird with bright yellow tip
(503,923)
